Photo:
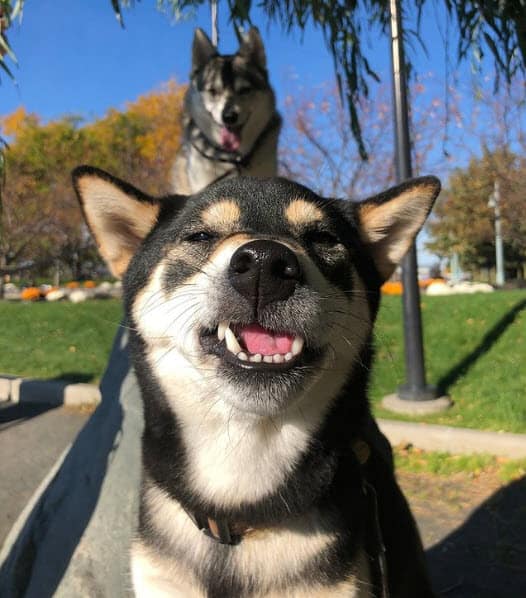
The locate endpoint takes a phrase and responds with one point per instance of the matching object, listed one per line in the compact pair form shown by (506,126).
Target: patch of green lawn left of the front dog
(58,340)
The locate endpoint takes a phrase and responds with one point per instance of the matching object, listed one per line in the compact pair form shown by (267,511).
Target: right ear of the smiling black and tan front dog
(389,222)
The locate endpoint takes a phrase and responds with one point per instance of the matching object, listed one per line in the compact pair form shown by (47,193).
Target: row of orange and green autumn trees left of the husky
(41,216)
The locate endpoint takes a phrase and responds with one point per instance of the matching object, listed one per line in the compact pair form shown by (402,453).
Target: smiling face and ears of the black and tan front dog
(258,295)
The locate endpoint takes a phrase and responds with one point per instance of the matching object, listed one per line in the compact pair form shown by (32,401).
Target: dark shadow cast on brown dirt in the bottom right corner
(486,556)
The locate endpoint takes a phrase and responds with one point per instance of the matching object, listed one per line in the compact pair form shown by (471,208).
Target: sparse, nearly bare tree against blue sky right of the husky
(317,146)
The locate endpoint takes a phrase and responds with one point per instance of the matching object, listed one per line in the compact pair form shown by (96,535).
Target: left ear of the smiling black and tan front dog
(118,215)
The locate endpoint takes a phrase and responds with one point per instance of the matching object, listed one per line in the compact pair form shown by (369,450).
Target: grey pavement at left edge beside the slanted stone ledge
(32,438)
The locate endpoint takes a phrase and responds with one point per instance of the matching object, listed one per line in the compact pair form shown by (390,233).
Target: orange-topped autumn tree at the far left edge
(36,217)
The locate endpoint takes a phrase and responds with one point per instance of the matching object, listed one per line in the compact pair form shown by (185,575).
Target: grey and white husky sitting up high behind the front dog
(230,122)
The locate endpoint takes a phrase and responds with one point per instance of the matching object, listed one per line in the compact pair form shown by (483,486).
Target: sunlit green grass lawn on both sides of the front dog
(475,348)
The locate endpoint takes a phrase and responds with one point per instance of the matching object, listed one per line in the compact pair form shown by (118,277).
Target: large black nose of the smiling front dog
(264,271)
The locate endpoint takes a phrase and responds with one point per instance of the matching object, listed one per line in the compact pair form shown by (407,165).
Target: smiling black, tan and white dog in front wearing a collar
(251,308)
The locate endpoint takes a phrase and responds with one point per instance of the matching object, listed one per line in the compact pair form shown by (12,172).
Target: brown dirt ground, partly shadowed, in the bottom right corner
(474,530)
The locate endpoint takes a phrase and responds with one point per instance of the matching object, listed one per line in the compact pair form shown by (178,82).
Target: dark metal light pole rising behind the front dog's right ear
(415,388)
